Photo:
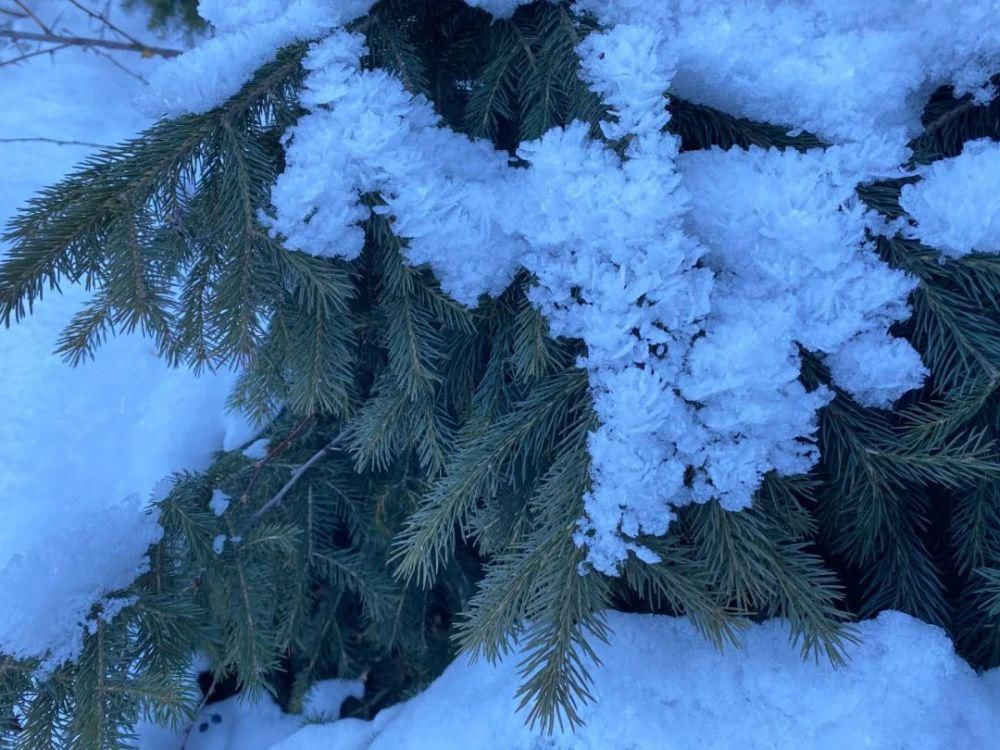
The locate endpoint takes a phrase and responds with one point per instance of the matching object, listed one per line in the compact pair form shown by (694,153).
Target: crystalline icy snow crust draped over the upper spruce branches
(693,279)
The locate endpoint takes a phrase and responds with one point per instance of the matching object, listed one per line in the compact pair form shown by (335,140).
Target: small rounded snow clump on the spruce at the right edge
(955,203)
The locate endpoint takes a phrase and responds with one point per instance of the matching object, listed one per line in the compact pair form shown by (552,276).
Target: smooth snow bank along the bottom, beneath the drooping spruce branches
(663,686)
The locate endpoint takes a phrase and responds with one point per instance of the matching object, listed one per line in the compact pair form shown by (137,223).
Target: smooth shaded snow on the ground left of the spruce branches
(81,449)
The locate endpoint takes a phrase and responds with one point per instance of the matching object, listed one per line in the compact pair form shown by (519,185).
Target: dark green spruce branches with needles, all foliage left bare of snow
(440,452)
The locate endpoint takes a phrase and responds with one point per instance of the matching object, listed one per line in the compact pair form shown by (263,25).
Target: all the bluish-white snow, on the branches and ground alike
(693,278)
